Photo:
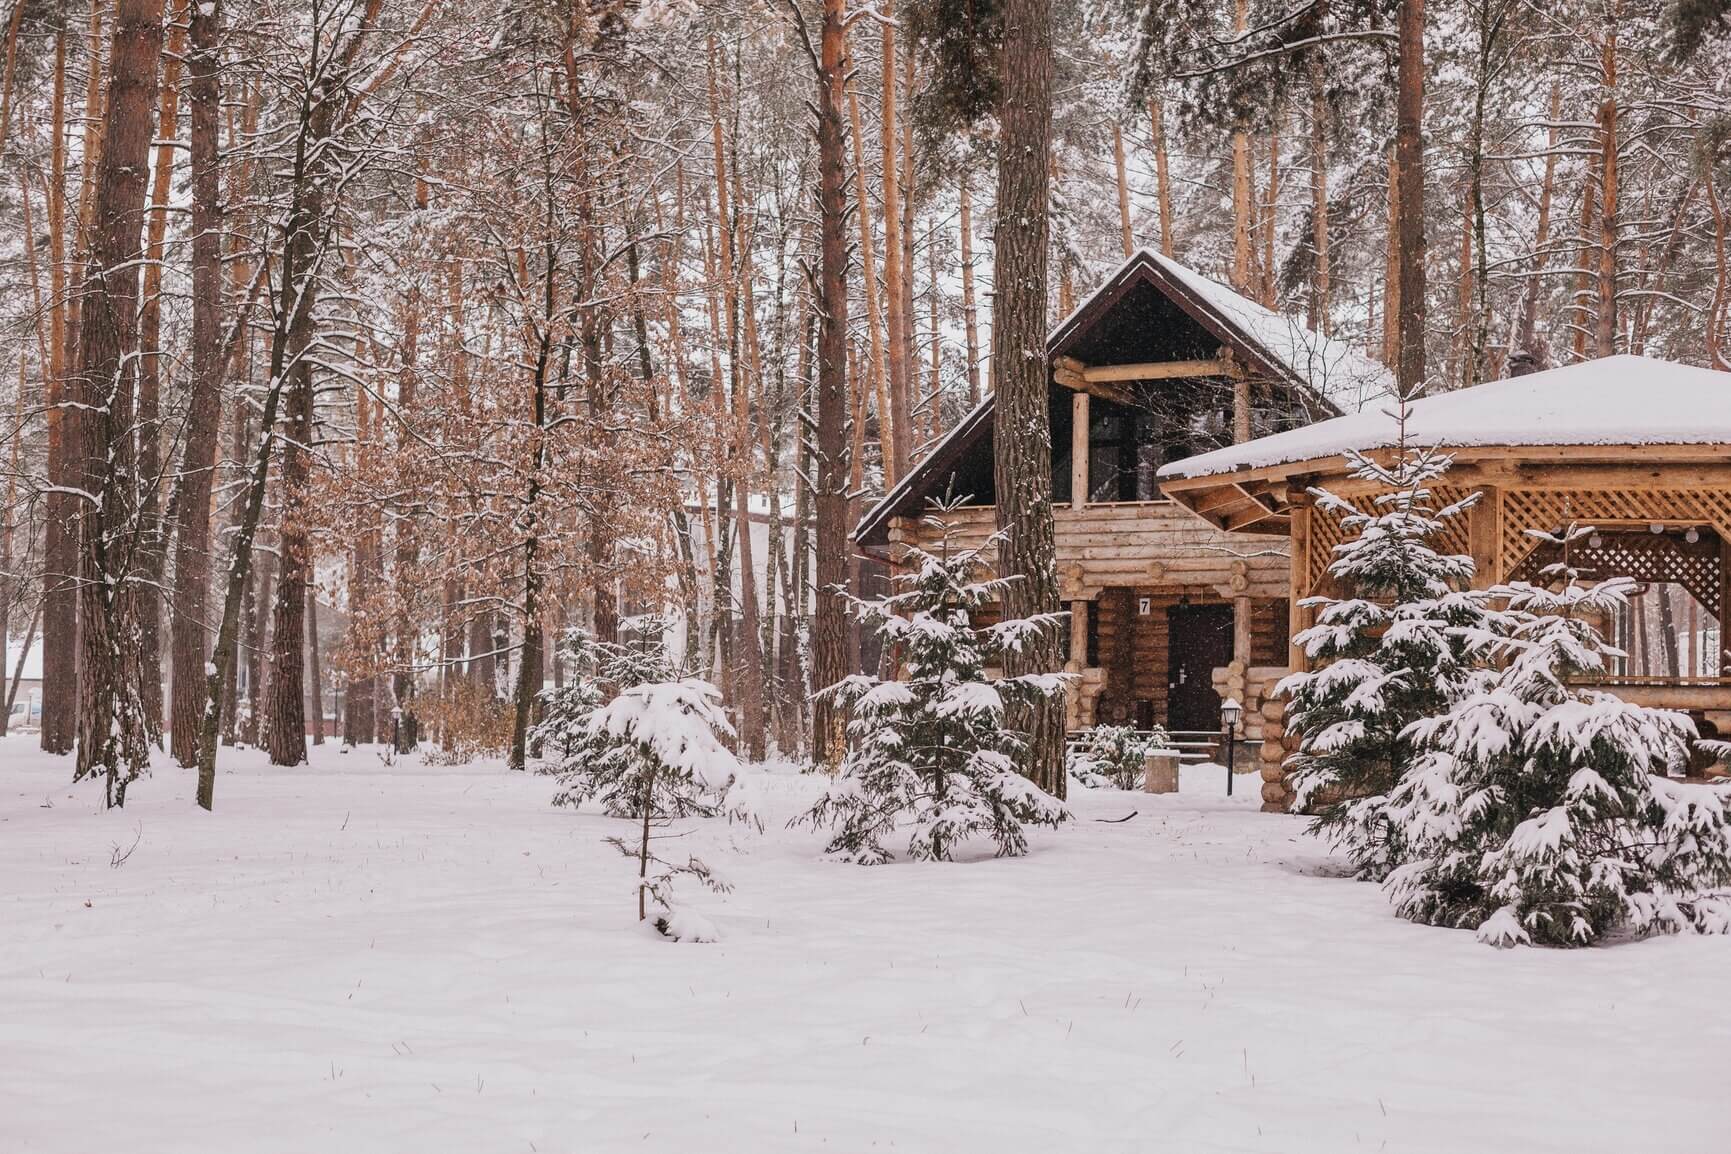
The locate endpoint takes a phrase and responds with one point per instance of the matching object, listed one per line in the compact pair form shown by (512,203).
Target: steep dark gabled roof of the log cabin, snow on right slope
(1329,375)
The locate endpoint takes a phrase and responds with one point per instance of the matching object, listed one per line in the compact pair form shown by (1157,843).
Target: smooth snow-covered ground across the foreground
(361,958)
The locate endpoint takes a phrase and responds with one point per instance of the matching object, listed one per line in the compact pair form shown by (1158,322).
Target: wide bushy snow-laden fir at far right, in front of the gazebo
(1538,811)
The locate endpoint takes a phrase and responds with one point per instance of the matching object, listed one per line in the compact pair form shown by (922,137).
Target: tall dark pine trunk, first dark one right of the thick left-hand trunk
(198,463)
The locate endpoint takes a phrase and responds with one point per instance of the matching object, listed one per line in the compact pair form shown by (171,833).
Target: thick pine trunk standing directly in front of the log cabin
(1024,442)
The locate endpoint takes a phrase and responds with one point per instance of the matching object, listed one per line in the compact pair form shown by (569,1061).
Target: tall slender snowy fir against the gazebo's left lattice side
(1387,653)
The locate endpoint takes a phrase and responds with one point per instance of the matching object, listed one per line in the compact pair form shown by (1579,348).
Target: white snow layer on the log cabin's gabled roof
(1334,369)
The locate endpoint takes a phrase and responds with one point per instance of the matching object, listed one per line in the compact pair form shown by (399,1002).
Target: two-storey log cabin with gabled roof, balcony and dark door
(1169,613)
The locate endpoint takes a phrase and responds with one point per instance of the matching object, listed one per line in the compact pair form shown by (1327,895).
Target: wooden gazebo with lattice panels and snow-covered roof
(1638,449)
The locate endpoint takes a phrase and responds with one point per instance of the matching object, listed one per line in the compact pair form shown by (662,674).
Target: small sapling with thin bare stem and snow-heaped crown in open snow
(650,747)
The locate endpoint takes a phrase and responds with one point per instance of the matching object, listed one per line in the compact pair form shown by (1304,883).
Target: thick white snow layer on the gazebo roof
(1616,401)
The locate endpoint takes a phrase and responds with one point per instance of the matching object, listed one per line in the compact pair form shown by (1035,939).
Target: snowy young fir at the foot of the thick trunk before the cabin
(930,753)
